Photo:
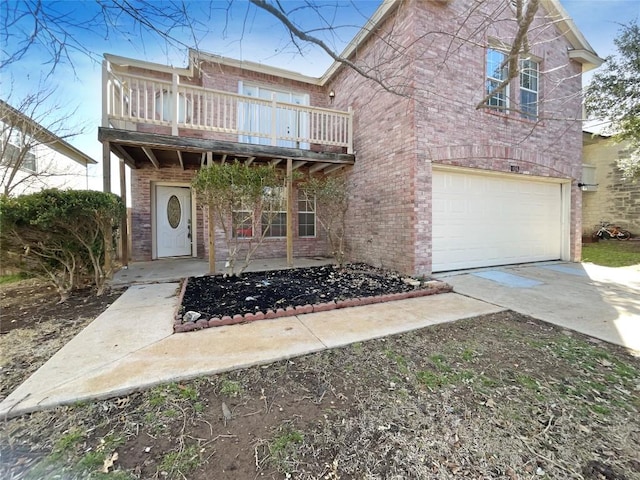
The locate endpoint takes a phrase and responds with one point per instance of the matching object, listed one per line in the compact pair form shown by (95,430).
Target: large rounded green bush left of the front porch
(64,236)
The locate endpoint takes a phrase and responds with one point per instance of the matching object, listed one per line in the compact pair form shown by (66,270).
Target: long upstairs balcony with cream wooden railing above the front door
(222,122)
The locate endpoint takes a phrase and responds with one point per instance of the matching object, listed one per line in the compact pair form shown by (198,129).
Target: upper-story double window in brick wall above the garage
(521,95)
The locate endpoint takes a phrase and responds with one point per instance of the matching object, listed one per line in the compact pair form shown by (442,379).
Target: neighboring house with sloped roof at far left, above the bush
(44,159)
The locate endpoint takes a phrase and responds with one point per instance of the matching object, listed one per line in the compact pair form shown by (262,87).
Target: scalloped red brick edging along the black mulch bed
(179,326)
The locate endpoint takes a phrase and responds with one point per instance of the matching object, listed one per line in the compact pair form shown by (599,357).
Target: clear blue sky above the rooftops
(240,32)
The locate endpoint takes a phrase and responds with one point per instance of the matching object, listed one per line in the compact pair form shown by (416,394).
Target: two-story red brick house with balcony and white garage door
(436,183)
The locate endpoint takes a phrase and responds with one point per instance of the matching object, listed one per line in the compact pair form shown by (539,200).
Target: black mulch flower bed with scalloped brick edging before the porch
(216,300)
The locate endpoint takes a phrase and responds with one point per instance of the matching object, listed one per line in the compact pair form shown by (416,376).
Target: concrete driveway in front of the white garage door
(599,301)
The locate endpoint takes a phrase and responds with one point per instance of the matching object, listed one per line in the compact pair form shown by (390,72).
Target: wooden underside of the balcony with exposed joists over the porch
(163,151)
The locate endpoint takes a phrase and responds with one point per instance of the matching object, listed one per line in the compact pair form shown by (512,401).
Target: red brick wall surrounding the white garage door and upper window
(438,69)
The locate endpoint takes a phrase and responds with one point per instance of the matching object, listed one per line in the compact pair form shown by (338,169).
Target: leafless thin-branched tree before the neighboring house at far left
(26,131)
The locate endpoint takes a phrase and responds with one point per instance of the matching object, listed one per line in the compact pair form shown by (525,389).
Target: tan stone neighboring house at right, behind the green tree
(606,195)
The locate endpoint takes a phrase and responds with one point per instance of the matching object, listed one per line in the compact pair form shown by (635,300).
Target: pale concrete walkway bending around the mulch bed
(132,345)
